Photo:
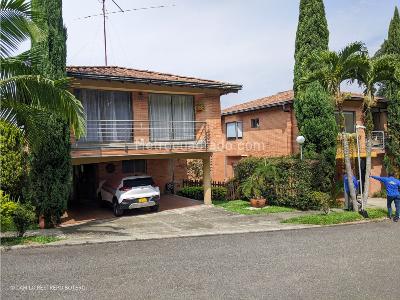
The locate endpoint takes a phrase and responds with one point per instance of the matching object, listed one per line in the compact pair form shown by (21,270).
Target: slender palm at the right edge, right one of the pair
(374,72)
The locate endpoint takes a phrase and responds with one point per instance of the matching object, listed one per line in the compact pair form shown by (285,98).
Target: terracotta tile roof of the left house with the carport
(121,73)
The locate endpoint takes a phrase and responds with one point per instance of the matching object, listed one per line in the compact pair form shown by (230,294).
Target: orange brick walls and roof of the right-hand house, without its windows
(277,132)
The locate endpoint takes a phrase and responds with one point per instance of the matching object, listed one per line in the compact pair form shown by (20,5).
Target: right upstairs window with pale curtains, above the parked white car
(171,117)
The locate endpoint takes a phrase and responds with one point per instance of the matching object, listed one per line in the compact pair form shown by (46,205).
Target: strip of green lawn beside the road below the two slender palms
(336,217)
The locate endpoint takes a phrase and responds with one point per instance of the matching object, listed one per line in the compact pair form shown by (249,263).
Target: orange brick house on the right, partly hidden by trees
(267,127)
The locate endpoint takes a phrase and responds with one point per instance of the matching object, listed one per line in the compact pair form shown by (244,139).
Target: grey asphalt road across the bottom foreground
(342,262)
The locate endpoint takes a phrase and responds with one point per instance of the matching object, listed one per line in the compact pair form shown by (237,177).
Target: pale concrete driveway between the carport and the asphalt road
(192,221)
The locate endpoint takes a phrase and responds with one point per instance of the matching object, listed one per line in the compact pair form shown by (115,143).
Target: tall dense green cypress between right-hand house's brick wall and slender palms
(313,105)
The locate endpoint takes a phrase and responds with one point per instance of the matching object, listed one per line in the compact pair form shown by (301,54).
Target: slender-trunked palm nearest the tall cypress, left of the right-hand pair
(331,69)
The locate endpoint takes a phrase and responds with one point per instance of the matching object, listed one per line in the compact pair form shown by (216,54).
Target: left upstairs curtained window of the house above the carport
(109,115)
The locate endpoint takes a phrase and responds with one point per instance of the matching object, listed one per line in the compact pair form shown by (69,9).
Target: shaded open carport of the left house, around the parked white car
(91,169)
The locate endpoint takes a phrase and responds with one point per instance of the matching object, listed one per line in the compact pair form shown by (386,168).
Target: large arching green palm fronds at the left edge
(24,94)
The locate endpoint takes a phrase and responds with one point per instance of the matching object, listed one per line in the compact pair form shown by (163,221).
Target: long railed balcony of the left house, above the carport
(144,135)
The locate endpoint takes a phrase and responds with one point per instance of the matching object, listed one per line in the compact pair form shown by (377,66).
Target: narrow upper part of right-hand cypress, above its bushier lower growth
(312,36)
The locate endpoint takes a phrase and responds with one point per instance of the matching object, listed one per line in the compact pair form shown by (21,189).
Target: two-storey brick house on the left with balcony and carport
(142,122)
